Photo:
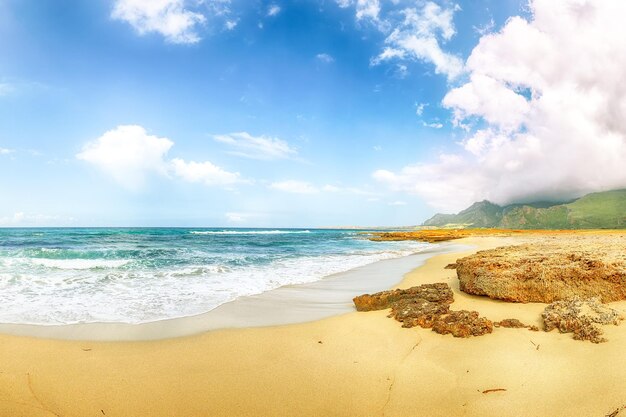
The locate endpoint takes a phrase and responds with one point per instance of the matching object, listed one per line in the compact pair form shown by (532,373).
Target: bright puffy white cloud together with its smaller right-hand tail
(129,155)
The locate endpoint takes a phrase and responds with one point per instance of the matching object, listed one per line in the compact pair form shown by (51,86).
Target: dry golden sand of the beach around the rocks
(354,364)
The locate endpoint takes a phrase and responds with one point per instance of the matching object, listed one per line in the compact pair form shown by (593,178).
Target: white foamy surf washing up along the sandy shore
(92,290)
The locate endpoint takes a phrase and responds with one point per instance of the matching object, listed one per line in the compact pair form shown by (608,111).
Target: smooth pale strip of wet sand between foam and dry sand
(289,304)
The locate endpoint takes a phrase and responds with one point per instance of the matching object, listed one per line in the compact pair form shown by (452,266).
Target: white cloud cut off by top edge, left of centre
(170,18)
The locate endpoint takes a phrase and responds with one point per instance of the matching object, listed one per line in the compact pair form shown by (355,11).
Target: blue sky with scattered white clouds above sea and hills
(304,113)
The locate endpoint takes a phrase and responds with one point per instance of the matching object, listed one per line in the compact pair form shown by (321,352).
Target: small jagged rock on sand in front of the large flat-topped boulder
(581,317)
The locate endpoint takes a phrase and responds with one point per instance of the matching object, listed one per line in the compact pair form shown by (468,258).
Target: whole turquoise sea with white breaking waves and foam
(53,276)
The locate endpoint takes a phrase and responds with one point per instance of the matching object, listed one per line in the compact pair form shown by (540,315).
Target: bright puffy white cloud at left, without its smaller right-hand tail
(128,154)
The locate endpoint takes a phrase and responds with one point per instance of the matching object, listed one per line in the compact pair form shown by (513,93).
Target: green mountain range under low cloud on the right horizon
(604,210)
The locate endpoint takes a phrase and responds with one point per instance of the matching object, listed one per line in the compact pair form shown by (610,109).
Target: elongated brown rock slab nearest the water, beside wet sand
(435,293)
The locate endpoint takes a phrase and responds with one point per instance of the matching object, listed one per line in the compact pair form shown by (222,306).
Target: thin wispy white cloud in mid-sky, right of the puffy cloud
(257,147)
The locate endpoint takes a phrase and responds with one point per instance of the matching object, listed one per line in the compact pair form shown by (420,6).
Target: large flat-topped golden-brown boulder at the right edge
(547,271)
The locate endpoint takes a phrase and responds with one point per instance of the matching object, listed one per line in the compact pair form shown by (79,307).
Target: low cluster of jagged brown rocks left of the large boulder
(427,306)
